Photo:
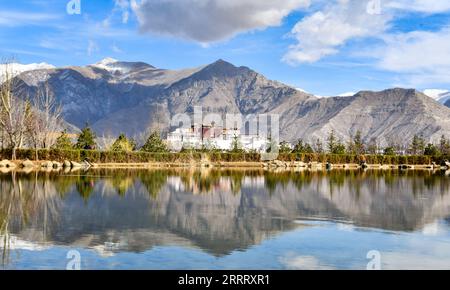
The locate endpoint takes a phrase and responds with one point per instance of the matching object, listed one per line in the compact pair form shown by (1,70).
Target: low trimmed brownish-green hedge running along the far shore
(214,156)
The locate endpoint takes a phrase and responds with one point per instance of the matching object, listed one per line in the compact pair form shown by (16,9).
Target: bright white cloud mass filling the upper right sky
(419,57)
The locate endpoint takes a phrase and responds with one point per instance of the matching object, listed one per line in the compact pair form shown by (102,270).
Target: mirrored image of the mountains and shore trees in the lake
(216,211)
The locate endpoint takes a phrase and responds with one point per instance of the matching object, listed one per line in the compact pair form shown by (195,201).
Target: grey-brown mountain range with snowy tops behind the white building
(130,97)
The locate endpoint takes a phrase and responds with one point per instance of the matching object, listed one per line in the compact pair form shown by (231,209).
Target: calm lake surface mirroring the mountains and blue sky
(225,219)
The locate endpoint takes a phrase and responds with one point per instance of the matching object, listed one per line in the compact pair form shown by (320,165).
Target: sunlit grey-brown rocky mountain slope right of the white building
(394,115)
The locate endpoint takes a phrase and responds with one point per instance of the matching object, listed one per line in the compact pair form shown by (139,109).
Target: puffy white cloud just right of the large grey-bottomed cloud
(322,33)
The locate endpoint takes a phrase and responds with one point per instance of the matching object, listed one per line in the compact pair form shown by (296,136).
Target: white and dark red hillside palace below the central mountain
(210,136)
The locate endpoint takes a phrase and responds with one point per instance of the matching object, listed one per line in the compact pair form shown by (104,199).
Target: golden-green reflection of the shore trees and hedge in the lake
(208,180)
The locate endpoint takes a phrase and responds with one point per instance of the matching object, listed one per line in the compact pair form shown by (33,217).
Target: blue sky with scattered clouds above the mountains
(323,47)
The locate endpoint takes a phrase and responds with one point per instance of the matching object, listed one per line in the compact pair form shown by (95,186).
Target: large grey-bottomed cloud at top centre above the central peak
(208,21)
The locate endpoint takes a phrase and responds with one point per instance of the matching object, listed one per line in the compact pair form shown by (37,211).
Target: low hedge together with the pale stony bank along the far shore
(109,159)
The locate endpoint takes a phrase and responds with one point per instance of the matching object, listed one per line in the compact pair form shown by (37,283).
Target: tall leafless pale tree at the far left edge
(14,112)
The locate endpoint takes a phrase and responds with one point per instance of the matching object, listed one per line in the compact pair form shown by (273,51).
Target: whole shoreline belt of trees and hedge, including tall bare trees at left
(29,136)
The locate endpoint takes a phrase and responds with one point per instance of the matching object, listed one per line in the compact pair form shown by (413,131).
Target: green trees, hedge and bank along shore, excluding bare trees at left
(333,154)
